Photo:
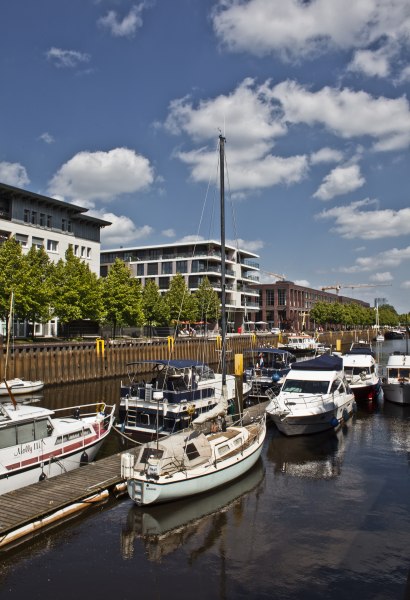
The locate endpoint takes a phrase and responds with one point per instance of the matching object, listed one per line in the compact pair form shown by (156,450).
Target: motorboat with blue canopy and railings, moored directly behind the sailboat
(178,392)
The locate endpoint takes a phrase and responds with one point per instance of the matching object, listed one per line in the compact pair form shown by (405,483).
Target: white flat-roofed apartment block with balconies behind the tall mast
(196,260)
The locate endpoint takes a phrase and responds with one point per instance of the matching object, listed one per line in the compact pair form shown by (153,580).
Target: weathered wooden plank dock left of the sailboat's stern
(29,509)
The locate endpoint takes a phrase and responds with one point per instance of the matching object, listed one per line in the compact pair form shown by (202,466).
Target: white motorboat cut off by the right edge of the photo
(396,384)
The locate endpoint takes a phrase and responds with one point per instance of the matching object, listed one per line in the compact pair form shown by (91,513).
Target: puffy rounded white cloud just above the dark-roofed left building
(90,176)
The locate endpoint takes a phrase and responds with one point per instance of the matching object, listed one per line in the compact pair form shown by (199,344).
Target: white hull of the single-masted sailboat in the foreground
(207,477)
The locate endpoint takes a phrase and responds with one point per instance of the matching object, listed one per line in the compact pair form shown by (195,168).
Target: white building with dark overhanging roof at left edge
(36,220)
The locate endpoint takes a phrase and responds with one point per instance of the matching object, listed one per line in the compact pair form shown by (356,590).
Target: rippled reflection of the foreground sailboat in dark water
(164,529)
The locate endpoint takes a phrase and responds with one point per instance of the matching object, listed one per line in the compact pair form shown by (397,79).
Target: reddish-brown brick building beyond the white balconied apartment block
(287,305)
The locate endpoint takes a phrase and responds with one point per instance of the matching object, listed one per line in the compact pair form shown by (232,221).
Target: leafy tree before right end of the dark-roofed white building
(76,290)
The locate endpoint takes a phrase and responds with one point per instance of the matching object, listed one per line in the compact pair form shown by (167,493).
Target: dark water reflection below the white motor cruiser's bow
(318,456)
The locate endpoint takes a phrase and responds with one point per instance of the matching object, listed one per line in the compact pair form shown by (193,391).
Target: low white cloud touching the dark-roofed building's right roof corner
(121,231)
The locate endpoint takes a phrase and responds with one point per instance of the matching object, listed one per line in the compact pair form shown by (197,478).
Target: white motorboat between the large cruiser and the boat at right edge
(361,370)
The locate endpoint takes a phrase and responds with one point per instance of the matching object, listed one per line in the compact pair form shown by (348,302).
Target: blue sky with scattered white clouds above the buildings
(117,106)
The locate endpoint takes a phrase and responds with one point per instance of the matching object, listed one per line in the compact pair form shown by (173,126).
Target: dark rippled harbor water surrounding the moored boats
(320,516)
